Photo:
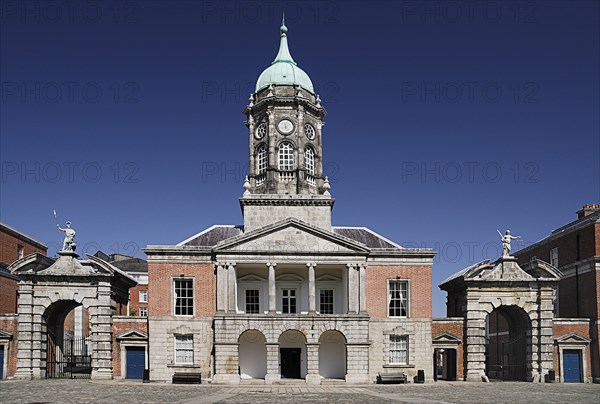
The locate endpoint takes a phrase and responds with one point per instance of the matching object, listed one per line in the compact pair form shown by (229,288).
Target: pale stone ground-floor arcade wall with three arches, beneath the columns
(355,329)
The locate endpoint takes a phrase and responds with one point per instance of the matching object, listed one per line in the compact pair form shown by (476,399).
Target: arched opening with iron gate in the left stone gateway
(68,350)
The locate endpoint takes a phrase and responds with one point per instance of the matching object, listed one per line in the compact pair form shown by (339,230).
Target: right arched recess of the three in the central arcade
(332,355)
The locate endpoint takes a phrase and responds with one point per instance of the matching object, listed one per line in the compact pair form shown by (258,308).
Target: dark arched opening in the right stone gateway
(508,335)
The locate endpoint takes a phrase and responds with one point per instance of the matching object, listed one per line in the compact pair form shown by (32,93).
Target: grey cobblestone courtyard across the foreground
(85,391)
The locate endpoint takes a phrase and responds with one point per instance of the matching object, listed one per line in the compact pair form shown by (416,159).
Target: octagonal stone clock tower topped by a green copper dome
(285,121)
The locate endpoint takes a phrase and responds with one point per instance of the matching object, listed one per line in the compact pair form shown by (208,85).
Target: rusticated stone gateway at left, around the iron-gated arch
(48,291)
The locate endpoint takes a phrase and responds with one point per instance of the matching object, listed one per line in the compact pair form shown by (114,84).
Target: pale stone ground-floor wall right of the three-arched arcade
(420,351)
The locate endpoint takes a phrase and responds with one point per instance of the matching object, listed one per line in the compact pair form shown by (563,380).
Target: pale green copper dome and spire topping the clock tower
(284,70)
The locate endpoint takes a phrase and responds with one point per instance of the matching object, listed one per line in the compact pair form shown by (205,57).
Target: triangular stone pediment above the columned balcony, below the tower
(291,236)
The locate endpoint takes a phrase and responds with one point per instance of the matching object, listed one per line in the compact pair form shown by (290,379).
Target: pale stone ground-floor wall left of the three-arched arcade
(162,332)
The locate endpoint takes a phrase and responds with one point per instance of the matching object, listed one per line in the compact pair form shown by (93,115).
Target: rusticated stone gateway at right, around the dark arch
(523,296)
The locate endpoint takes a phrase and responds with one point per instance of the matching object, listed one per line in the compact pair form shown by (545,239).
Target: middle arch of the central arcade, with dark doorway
(292,355)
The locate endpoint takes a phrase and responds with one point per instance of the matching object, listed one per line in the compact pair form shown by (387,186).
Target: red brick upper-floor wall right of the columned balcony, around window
(419,278)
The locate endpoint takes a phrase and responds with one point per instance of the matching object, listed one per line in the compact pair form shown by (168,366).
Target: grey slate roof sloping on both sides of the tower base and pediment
(215,234)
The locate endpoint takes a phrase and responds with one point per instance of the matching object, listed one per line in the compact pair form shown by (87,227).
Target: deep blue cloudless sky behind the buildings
(446,120)
